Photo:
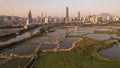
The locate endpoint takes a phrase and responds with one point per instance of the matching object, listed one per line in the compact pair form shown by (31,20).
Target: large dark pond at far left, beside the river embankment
(23,49)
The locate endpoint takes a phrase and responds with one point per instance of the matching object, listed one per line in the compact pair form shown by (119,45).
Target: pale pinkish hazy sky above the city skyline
(57,7)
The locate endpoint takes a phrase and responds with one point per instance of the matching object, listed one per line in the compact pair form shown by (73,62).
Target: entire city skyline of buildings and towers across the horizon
(43,19)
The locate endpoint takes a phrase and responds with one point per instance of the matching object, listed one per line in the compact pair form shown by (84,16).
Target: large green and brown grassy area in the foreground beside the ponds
(84,55)
